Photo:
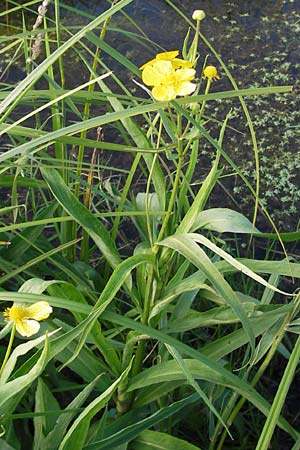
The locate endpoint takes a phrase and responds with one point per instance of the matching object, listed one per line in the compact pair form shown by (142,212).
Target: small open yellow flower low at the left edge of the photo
(26,318)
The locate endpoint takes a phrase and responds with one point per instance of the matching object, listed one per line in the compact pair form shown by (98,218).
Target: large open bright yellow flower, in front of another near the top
(168,82)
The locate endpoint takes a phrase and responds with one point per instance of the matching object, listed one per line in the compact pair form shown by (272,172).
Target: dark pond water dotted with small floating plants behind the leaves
(259,43)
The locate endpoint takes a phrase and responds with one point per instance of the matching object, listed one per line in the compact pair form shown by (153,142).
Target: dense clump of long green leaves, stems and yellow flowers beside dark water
(151,331)
